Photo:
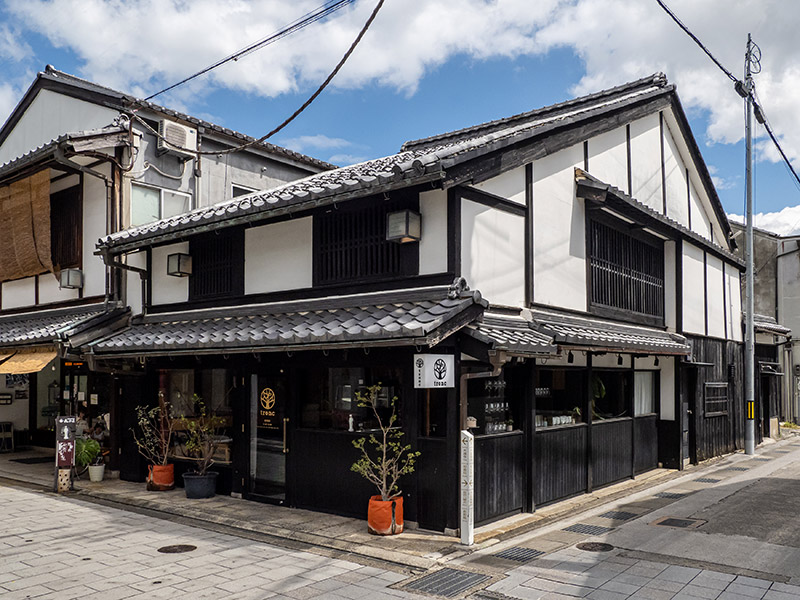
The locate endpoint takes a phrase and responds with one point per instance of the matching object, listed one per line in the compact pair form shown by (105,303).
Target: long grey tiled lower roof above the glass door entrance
(421,317)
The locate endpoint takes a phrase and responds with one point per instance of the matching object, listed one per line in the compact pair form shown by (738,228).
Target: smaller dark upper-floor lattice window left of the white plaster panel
(217,265)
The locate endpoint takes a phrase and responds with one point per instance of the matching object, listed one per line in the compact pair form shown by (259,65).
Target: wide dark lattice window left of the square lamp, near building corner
(351,245)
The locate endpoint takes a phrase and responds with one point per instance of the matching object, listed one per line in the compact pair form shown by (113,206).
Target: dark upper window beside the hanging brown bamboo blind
(66,228)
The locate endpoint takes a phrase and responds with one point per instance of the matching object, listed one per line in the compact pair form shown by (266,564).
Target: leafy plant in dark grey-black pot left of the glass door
(200,445)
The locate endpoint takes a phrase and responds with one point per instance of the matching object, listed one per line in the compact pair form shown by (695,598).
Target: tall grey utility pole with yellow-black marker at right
(749,356)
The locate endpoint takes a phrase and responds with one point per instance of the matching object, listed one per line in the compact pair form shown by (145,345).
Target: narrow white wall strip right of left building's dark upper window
(94,227)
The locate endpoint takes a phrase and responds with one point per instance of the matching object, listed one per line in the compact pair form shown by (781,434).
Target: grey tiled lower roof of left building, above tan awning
(44,326)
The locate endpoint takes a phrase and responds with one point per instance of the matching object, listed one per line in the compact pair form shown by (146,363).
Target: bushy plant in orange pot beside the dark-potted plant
(154,440)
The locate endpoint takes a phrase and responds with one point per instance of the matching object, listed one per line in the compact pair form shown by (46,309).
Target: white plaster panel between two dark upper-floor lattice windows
(278,256)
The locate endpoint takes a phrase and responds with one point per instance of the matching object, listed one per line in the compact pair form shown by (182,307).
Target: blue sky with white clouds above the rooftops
(425,67)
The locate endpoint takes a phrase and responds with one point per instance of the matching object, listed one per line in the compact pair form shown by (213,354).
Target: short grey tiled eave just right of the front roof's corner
(515,335)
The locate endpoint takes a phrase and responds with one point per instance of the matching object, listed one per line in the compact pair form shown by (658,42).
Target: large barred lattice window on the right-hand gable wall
(627,272)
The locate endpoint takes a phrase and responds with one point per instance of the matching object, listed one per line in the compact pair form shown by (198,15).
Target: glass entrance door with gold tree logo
(269,442)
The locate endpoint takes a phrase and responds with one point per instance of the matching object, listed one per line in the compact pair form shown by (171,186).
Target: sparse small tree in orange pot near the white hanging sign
(383,461)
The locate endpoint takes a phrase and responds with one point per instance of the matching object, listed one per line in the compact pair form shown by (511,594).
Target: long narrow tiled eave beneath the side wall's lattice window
(600,334)
